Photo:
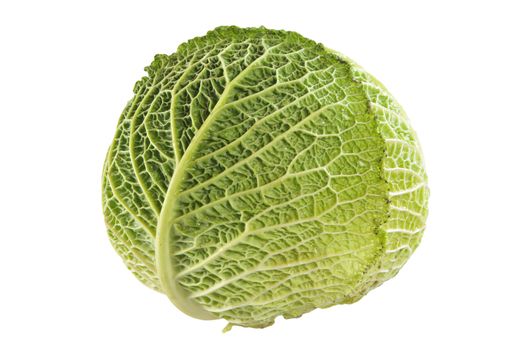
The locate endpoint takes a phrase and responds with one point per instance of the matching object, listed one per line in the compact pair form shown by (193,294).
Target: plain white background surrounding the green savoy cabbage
(459,69)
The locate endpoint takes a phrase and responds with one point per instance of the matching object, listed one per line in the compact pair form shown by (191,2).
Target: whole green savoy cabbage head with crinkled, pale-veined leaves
(256,173)
